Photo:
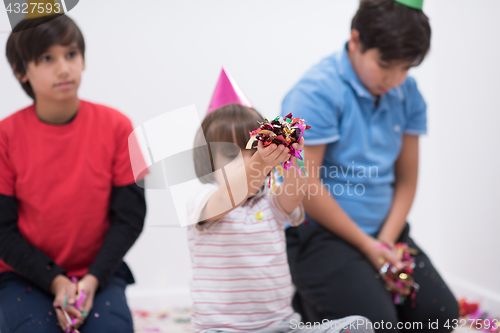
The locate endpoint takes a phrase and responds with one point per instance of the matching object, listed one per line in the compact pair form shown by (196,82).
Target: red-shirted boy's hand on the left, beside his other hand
(65,292)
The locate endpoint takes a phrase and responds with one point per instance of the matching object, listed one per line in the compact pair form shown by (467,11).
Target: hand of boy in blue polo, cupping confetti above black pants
(377,253)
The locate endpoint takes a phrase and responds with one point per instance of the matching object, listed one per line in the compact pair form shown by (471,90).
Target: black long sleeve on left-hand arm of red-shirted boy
(19,254)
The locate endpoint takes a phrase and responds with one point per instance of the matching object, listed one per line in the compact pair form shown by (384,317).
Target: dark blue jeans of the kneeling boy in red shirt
(24,308)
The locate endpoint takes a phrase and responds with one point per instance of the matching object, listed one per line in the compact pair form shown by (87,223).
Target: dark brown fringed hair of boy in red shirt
(32,37)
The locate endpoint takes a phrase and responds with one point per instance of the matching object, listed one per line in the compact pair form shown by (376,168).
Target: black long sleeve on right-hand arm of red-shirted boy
(127,213)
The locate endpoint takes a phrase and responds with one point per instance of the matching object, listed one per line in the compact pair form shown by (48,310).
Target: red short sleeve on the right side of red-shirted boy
(122,166)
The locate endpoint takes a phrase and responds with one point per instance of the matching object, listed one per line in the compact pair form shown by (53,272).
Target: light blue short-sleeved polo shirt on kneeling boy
(362,139)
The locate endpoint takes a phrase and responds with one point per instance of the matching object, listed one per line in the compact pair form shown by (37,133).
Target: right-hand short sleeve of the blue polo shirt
(416,109)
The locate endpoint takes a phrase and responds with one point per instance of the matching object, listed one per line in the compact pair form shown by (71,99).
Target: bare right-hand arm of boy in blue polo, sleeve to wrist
(406,172)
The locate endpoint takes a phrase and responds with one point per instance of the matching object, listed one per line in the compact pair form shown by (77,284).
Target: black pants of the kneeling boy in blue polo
(334,280)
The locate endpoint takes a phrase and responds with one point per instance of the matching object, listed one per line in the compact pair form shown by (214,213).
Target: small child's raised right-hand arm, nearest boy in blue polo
(294,188)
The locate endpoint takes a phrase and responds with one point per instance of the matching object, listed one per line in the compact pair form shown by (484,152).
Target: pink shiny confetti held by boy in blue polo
(402,278)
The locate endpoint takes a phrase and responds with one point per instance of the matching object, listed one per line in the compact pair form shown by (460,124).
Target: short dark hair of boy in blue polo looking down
(397,31)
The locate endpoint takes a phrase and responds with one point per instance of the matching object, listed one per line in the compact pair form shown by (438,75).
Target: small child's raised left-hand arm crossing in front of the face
(245,181)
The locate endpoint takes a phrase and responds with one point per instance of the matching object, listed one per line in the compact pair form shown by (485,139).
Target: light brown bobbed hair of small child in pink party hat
(229,123)
